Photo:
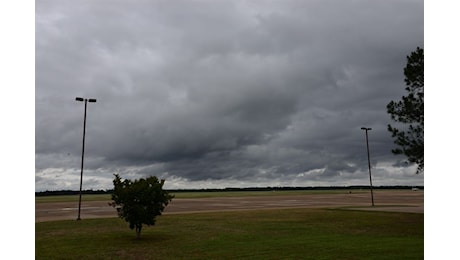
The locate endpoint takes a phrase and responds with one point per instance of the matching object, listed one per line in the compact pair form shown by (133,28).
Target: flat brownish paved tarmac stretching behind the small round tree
(384,200)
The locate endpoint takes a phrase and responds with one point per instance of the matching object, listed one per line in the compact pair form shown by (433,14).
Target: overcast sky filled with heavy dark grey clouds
(215,94)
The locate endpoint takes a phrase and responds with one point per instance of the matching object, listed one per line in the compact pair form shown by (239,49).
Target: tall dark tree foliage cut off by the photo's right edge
(409,112)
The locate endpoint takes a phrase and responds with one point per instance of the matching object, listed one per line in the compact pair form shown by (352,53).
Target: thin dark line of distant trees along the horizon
(72,192)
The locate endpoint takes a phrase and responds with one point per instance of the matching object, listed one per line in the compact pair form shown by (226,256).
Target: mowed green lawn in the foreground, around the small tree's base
(261,234)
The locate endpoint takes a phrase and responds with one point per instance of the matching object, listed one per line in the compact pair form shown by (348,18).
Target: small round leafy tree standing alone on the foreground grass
(140,201)
